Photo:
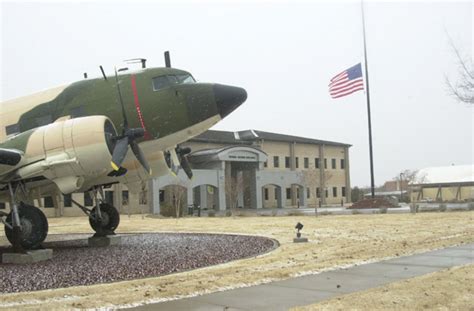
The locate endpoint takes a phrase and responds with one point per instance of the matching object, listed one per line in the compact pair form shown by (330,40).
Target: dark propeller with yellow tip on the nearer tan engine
(128,138)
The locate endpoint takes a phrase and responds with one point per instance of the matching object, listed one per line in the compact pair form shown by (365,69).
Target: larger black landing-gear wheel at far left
(34,226)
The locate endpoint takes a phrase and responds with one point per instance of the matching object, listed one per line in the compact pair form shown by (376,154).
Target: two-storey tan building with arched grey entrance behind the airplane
(257,169)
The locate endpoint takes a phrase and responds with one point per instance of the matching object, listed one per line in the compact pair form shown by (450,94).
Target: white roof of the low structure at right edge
(445,174)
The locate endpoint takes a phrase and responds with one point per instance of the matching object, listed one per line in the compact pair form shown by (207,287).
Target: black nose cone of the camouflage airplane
(228,98)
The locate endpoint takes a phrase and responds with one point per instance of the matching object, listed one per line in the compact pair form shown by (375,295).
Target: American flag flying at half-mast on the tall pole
(347,82)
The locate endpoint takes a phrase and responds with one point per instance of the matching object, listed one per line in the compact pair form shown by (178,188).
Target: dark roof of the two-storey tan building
(249,136)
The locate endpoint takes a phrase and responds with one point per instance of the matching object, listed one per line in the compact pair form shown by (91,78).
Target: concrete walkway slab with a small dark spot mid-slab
(334,281)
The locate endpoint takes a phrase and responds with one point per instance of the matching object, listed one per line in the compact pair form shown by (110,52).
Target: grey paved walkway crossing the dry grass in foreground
(305,290)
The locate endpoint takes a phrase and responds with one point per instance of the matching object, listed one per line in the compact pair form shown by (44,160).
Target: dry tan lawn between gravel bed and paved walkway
(334,241)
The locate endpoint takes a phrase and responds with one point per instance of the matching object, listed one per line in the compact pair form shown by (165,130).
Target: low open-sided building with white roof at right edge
(444,184)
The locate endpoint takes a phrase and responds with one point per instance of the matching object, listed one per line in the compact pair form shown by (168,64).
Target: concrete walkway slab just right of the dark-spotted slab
(395,272)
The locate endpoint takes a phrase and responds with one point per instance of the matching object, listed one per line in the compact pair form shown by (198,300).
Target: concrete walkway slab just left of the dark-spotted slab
(264,297)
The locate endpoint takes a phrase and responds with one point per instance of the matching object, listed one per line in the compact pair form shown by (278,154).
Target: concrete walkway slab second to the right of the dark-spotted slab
(430,261)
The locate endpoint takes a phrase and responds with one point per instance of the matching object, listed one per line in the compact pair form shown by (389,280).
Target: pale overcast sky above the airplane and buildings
(283,53)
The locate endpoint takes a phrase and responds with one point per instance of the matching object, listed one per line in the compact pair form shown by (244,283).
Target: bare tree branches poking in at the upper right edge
(463,88)
